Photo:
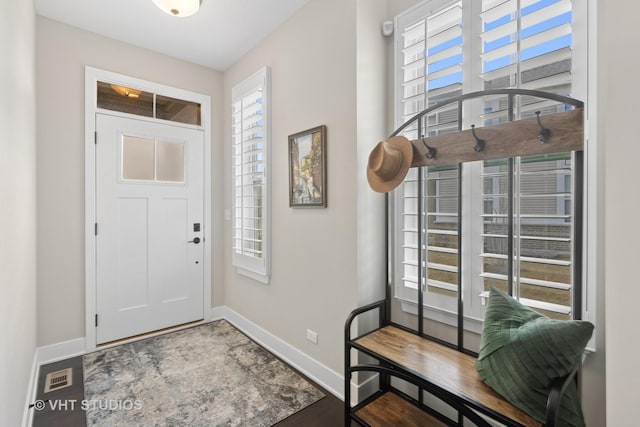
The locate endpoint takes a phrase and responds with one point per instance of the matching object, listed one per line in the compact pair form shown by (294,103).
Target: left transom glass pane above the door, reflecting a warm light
(125,99)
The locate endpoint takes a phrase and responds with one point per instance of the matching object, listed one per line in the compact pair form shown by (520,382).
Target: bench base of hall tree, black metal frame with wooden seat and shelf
(434,368)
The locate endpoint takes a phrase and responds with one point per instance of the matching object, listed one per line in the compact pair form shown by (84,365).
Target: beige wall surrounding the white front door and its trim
(62,53)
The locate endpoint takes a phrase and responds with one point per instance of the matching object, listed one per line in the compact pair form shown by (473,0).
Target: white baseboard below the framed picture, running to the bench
(327,378)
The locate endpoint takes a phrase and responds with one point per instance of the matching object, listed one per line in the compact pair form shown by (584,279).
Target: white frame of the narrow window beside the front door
(258,269)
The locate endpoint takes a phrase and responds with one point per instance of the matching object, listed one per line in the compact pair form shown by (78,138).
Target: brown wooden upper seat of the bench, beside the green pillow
(444,367)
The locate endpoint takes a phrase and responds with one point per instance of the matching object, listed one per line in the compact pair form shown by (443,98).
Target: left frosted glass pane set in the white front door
(137,158)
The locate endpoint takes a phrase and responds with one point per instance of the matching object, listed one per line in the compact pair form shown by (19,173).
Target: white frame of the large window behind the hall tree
(437,311)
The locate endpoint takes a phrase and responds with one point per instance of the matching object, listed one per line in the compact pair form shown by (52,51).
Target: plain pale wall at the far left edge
(18,210)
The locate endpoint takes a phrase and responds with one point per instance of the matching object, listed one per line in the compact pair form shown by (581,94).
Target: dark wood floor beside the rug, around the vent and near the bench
(327,412)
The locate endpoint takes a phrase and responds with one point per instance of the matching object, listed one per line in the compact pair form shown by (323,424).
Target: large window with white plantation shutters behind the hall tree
(444,49)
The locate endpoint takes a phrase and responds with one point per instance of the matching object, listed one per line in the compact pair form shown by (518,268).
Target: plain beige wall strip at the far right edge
(618,111)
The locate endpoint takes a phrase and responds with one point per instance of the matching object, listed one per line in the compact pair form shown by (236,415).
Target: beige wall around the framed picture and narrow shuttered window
(314,253)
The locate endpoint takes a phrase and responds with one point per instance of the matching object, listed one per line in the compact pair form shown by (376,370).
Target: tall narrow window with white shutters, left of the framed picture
(250,176)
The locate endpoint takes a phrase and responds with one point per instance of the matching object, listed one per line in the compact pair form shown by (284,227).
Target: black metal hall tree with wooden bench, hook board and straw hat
(414,369)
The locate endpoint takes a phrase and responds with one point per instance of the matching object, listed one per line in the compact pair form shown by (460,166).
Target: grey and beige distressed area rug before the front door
(209,375)
